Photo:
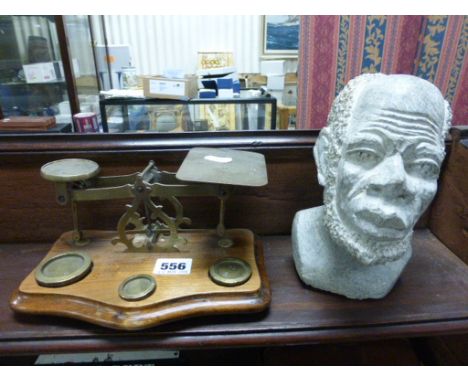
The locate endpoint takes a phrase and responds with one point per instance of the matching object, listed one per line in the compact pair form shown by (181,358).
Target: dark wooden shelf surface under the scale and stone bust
(429,299)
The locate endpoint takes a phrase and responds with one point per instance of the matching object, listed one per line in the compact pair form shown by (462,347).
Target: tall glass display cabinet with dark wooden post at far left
(47,67)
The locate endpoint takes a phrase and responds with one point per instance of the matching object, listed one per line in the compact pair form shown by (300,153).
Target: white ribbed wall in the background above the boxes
(160,42)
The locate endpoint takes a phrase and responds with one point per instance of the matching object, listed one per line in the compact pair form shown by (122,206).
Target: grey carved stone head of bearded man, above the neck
(378,159)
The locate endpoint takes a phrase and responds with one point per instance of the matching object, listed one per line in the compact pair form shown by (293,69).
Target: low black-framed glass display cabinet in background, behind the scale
(167,115)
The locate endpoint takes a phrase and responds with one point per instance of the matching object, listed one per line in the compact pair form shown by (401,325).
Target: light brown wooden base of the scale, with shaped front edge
(95,298)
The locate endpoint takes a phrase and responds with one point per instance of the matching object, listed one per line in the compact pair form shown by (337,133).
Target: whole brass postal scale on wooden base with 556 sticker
(152,269)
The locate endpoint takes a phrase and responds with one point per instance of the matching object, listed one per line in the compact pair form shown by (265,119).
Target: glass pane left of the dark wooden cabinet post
(32,80)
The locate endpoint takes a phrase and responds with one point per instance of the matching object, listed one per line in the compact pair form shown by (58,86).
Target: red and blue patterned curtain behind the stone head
(334,49)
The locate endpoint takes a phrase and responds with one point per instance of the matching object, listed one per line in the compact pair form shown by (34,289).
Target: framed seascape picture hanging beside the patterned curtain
(280,35)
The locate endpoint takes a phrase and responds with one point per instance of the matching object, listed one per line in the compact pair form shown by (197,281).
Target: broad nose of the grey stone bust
(390,180)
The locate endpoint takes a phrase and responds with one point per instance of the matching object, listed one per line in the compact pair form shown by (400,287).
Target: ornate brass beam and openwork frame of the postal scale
(155,230)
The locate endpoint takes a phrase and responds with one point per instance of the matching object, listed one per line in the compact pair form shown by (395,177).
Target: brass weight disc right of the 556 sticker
(230,272)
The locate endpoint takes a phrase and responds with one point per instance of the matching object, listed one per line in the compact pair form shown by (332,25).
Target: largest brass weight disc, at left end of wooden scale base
(64,269)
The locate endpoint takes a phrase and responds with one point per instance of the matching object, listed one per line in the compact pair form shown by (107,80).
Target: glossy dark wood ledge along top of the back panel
(149,142)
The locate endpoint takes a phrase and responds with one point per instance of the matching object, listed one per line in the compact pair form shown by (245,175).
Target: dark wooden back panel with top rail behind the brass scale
(30,213)
